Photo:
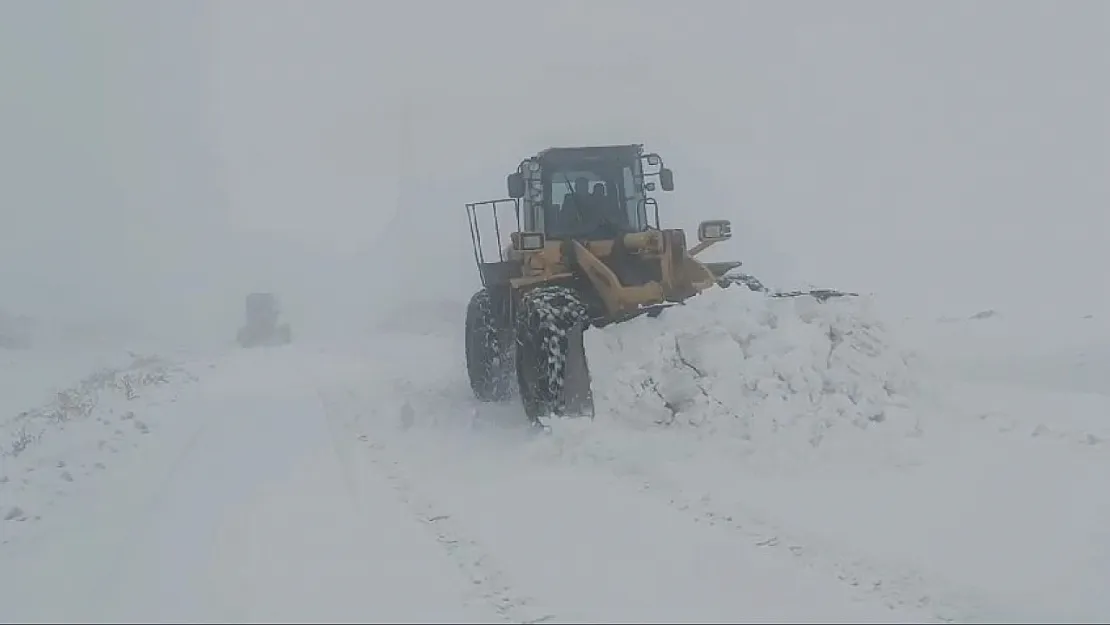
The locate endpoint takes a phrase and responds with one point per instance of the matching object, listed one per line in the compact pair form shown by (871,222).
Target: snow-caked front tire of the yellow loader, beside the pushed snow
(546,322)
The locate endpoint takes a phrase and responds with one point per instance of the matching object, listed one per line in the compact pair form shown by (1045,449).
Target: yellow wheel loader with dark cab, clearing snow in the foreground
(588,251)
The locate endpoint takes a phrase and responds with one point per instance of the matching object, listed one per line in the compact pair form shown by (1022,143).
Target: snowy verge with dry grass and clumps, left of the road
(48,451)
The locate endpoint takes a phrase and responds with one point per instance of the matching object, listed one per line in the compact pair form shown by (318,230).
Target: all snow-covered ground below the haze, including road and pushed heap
(751,460)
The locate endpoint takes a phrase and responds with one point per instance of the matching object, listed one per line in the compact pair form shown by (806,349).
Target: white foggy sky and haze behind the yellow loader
(159,160)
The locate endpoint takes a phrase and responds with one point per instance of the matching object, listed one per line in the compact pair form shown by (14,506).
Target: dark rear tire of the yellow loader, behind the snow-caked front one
(487,362)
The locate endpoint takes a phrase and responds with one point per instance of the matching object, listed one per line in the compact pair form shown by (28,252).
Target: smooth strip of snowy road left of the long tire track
(243,511)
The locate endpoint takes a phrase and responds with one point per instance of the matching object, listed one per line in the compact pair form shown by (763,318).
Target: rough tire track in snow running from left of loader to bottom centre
(491,584)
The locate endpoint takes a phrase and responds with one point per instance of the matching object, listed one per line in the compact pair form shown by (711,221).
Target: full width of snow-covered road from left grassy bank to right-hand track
(265,502)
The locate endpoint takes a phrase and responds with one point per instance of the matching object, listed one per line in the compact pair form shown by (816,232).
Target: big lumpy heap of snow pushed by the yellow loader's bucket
(736,365)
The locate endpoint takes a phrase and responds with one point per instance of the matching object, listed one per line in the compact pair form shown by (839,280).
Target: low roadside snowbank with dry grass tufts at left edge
(46,449)
